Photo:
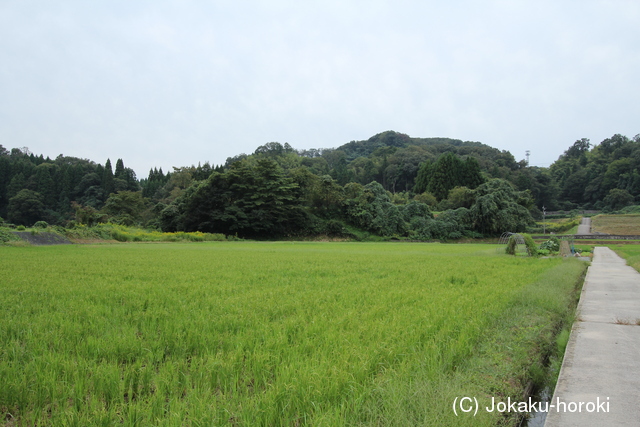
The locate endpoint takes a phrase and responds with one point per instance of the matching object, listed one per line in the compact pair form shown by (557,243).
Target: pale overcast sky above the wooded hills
(174,83)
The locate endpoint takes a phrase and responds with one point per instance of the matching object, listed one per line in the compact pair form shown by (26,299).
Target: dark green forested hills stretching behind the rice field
(386,185)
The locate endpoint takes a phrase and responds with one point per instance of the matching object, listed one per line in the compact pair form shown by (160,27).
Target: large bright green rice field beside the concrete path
(274,333)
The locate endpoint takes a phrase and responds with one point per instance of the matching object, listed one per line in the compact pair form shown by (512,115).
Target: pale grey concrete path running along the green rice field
(602,360)
